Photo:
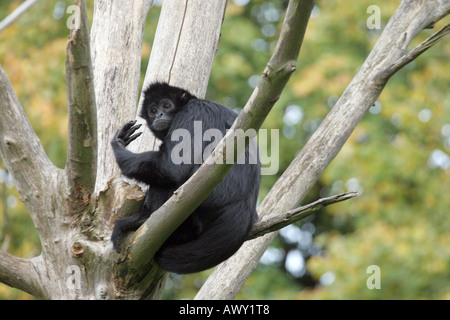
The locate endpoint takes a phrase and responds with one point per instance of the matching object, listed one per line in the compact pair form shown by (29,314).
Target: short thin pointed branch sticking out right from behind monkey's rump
(277,222)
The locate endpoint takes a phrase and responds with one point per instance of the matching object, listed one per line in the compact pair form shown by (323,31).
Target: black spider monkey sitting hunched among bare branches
(219,226)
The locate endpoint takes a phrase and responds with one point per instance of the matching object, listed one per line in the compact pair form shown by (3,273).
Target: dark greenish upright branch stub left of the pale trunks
(82,152)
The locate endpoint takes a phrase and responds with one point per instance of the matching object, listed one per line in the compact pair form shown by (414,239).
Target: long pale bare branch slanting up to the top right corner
(304,171)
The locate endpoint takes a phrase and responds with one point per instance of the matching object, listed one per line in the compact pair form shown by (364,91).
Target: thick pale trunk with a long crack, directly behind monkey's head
(171,59)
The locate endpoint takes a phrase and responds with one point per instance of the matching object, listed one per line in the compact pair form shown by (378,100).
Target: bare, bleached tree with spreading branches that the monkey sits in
(74,208)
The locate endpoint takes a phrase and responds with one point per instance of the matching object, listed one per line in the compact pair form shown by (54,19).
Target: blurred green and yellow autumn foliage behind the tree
(398,158)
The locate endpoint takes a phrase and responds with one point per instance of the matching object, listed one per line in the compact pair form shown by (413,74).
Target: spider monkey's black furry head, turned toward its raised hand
(161,103)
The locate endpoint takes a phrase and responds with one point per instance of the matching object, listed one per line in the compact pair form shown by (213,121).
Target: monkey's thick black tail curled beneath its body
(215,245)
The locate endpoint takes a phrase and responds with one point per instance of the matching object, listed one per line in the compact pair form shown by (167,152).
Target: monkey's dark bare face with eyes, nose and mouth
(160,114)
